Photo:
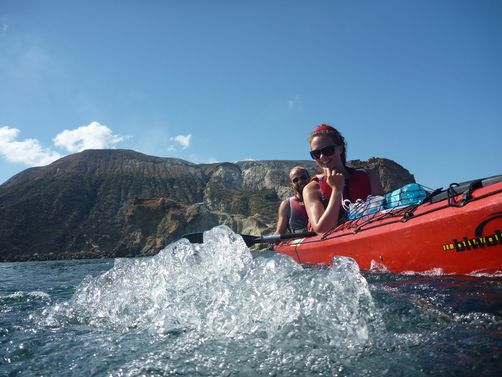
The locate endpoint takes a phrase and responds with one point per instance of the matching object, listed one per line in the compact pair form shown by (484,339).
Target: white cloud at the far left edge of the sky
(29,152)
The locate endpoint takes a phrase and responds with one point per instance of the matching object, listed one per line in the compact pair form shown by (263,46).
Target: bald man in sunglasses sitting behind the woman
(291,214)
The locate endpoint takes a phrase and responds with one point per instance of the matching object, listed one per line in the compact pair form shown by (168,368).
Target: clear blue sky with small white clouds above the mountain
(418,82)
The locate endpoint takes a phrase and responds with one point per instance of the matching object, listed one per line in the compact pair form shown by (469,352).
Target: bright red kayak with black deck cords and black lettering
(453,231)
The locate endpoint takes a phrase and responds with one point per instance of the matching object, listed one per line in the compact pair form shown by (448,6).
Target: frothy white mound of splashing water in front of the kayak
(217,290)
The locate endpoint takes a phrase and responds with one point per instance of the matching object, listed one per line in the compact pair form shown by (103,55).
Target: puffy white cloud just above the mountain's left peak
(92,136)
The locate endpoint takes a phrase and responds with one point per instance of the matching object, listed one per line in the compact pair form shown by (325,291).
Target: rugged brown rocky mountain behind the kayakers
(121,203)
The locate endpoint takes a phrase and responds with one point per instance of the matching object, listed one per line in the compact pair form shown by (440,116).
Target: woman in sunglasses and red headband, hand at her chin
(323,196)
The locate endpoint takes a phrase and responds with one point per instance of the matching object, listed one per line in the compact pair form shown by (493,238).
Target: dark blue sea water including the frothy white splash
(216,309)
